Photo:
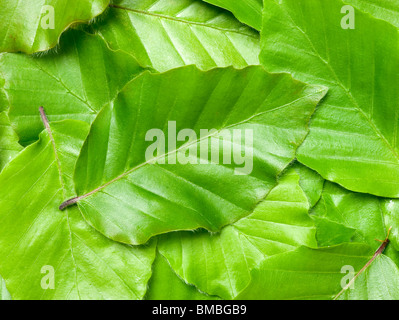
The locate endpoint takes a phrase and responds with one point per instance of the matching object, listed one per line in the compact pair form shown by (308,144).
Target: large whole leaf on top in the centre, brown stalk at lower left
(130,194)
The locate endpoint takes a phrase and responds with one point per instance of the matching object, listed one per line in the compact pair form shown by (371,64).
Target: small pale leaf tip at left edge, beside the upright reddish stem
(9,146)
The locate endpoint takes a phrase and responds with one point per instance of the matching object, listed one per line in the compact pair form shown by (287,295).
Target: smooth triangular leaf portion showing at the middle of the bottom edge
(166,285)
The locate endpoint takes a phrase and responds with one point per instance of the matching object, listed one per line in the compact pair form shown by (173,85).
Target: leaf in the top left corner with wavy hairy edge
(32,26)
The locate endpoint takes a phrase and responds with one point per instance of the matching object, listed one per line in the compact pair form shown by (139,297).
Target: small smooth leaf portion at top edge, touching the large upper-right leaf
(247,11)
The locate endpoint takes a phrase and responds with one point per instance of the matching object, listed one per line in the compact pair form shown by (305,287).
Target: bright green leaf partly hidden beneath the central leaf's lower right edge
(220,264)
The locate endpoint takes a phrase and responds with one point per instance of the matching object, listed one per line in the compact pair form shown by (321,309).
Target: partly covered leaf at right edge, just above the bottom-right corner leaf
(343,216)
